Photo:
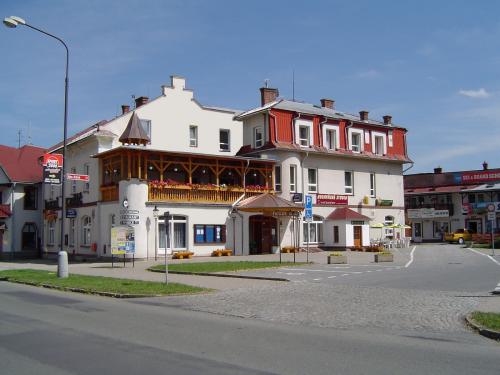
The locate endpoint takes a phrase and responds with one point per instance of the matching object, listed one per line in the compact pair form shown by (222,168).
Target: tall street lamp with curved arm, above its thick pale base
(13,22)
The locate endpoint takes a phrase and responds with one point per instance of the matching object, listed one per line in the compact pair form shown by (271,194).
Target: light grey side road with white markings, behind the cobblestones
(440,267)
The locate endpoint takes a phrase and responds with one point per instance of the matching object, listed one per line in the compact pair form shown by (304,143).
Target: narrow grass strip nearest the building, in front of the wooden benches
(221,266)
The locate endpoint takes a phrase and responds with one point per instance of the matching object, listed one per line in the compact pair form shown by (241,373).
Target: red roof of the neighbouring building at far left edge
(21,164)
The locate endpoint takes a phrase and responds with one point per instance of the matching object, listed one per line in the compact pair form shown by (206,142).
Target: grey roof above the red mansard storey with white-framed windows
(311,109)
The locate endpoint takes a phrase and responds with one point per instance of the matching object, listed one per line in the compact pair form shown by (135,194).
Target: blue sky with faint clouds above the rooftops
(433,65)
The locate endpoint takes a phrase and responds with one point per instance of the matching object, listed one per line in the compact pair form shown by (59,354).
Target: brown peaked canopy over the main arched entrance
(270,204)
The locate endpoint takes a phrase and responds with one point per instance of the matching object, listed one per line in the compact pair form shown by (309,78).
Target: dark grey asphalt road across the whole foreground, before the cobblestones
(50,332)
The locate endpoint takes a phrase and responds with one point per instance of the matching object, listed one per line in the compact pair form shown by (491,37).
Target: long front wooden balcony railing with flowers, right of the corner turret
(198,194)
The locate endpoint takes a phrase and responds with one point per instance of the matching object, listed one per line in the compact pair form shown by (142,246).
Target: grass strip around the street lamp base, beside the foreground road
(97,284)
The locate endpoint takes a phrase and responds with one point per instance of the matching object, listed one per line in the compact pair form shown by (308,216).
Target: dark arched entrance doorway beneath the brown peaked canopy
(263,234)
